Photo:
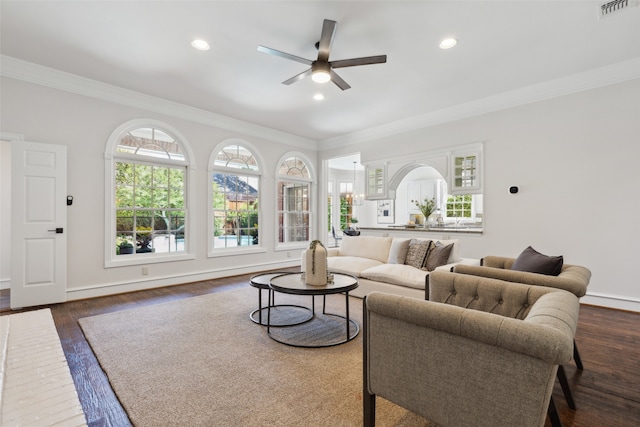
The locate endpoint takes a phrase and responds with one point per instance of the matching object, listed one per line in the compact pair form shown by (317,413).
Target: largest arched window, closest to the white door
(147,166)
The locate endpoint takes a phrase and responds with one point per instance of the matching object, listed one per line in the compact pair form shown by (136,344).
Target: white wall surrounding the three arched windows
(84,124)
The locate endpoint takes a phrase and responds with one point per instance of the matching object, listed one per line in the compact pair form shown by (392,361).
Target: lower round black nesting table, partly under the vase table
(261,281)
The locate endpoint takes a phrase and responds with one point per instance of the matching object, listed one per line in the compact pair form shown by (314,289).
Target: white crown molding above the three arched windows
(33,73)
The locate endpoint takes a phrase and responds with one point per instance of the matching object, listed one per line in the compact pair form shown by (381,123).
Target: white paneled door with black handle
(38,224)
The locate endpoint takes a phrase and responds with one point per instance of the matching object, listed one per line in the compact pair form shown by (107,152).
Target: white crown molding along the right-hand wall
(612,74)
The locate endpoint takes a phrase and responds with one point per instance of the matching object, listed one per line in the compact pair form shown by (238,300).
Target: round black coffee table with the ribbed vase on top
(322,331)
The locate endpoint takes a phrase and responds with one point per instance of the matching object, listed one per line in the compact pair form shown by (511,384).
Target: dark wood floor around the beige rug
(607,392)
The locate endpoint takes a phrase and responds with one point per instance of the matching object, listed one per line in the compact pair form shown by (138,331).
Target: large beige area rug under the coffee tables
(202,362)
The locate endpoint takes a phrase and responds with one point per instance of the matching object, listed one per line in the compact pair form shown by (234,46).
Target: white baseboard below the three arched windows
(105,289)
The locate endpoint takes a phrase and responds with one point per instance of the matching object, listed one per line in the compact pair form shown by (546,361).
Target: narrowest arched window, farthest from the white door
(294,201)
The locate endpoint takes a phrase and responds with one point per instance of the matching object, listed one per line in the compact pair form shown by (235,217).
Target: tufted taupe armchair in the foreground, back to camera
(485,354)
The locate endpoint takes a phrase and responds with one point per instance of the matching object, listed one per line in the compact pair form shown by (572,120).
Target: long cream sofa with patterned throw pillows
(378,264)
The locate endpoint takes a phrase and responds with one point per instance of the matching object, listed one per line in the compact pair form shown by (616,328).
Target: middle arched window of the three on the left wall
(235,193)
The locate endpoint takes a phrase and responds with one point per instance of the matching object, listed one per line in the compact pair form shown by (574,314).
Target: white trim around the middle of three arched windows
(260,173)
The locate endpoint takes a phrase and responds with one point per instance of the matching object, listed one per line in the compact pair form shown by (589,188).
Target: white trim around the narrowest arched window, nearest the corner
(287,246)
